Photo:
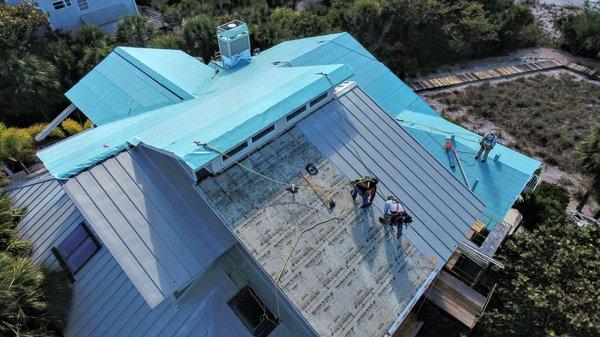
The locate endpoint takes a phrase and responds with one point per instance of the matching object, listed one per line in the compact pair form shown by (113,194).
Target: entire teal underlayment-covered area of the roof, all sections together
(138,97)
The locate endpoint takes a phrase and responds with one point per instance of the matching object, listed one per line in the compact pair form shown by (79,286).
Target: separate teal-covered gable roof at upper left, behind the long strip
(134,80)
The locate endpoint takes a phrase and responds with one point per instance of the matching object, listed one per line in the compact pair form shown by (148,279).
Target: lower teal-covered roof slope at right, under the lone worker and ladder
(498,182)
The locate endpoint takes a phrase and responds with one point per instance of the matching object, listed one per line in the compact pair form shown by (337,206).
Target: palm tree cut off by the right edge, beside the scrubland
(588,160)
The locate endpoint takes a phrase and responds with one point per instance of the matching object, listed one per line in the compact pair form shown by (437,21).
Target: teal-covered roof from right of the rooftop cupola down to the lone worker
(500,182)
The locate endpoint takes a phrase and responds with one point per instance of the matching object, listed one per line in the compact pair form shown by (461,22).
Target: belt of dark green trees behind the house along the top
(38,65)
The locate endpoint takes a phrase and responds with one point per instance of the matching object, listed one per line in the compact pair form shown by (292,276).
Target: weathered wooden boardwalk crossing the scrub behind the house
(502,72)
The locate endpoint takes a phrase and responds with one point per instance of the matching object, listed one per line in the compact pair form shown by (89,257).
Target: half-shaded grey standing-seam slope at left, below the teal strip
(149,217)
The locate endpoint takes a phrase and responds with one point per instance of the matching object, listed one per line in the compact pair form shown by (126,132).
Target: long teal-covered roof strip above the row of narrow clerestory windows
(237,104)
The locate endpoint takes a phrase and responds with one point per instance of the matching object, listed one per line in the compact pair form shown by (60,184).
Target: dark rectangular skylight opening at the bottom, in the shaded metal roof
(253,312)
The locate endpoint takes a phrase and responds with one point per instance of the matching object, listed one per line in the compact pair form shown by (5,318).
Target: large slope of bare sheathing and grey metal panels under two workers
(349,276)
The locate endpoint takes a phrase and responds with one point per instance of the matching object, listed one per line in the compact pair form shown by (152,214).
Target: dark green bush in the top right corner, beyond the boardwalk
(581,31)
